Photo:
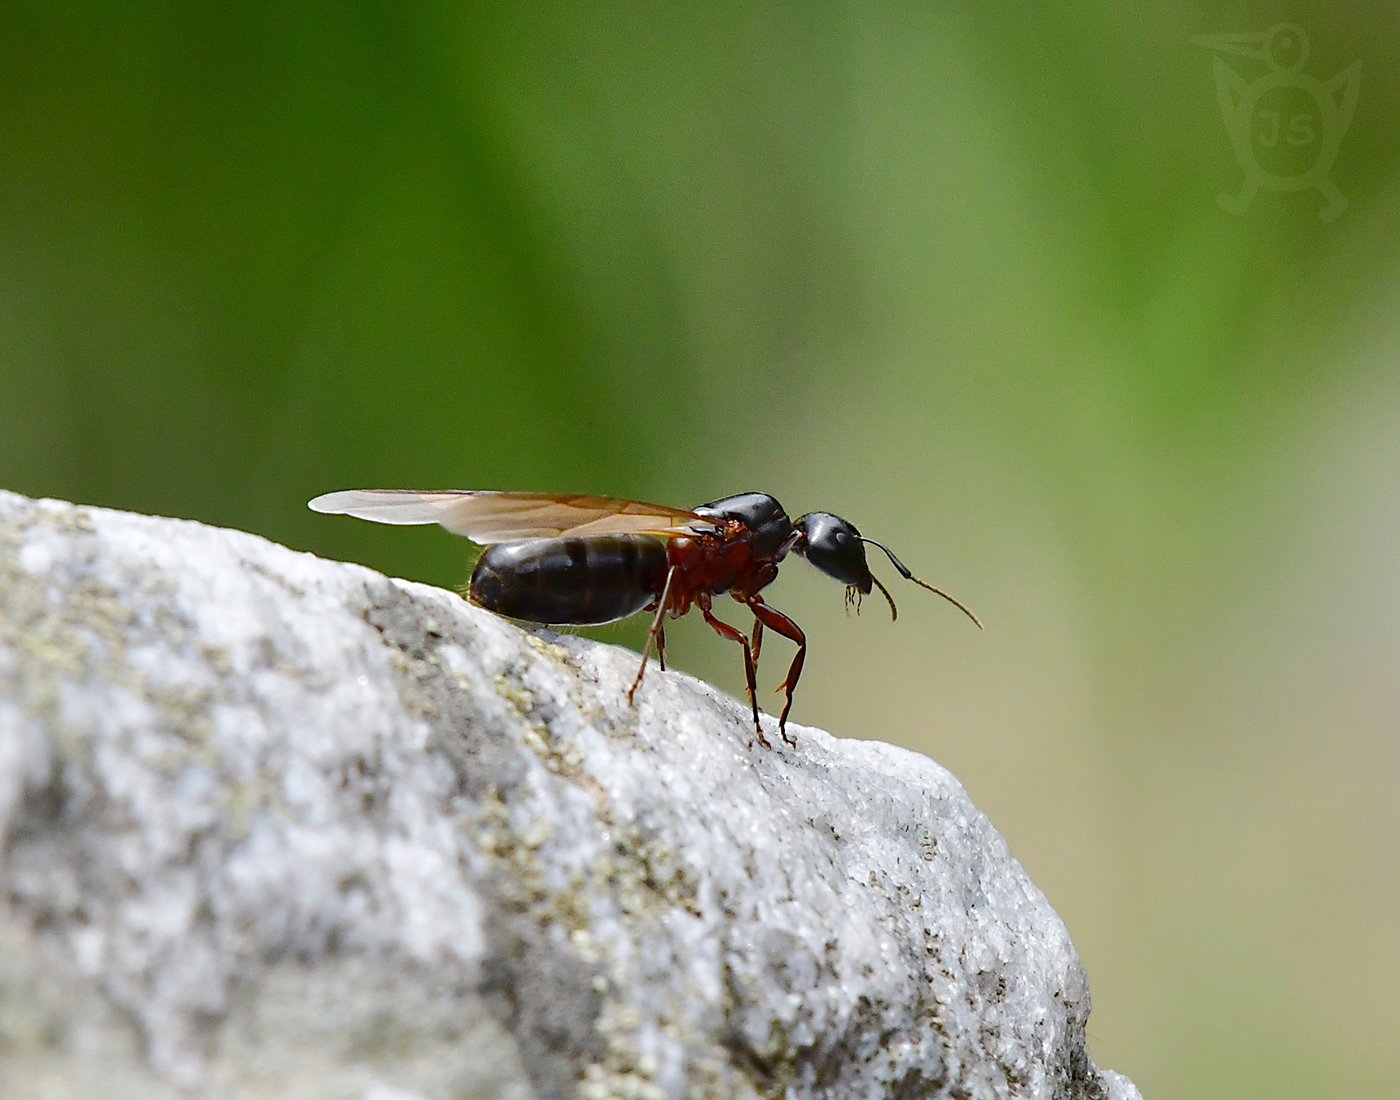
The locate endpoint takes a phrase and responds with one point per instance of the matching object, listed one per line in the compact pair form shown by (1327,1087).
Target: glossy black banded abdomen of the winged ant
(583,580)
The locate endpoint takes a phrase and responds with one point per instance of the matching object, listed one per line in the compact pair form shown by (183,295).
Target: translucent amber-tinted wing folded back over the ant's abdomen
(509,517)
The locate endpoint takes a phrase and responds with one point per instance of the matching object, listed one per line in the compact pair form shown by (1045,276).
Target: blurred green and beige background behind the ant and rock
(954,272)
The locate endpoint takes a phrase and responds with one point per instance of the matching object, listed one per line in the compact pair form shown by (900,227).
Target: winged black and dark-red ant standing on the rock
(559,559)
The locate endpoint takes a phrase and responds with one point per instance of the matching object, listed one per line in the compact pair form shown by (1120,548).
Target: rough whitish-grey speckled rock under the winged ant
(275,826)
